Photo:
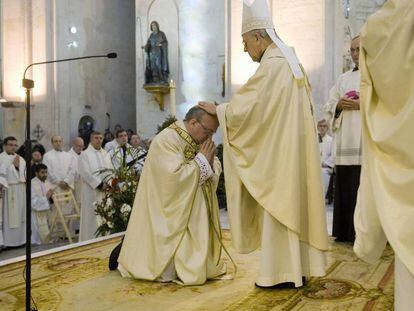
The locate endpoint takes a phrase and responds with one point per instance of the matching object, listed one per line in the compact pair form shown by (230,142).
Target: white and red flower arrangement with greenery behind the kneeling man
(114,209)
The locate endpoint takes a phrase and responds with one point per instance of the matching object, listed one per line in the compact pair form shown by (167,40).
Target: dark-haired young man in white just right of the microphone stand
(42,192)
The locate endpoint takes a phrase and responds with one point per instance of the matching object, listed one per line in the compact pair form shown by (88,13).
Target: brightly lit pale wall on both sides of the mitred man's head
(302,24)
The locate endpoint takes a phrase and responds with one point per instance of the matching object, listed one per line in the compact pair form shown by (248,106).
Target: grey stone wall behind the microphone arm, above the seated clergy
(39,30)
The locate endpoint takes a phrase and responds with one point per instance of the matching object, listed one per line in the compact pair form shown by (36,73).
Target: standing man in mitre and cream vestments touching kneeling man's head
(271,160)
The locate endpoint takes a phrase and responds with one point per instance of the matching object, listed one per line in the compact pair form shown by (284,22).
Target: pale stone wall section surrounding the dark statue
(195,30)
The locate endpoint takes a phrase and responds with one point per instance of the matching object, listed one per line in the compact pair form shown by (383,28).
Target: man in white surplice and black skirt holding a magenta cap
(344,117)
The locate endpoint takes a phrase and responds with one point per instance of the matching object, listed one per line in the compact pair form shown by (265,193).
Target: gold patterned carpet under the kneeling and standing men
(78,279)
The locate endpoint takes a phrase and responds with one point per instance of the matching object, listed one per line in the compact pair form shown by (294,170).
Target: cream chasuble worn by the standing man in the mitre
(271,156)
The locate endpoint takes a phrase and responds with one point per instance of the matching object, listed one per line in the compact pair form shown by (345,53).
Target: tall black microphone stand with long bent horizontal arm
(28,84)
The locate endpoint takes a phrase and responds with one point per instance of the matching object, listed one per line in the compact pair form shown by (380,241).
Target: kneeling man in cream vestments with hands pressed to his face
(170,235)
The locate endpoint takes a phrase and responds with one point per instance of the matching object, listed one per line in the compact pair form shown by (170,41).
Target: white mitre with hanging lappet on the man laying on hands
(256,15)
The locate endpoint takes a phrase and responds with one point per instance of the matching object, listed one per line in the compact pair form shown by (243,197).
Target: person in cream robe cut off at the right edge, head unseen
(385,208)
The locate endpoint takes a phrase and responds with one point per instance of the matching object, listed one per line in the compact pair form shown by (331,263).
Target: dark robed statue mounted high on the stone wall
(157,69)
